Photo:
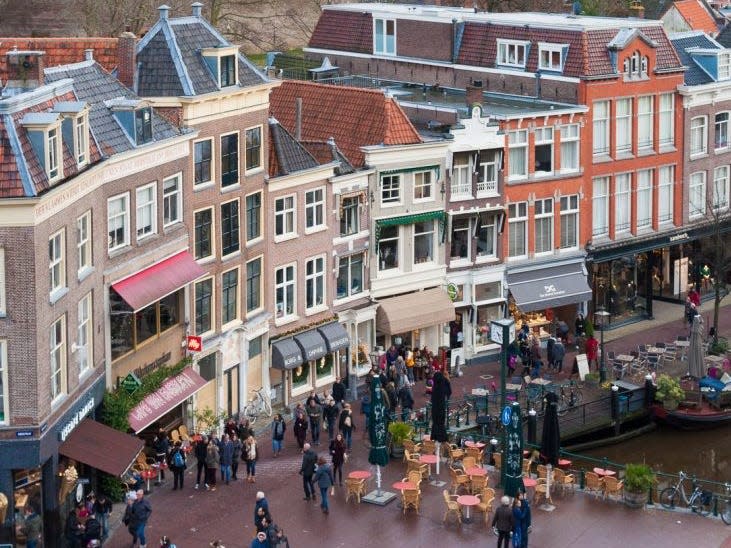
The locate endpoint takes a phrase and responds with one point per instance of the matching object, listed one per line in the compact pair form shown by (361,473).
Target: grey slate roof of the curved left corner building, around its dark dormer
(95,85)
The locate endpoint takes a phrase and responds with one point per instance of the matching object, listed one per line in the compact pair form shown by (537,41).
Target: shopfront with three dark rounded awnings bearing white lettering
(310,360)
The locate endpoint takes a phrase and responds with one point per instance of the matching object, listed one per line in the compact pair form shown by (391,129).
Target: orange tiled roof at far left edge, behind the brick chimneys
(62,51)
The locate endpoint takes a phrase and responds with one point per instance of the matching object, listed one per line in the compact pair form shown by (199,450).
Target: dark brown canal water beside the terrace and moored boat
(705,454)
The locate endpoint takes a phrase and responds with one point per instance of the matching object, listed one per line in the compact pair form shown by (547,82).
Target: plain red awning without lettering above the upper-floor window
(161,279)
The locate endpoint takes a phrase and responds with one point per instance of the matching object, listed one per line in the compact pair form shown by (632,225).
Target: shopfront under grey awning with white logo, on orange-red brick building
(543,295)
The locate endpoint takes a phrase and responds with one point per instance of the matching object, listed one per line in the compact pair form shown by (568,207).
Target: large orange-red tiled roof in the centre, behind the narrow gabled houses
(353,117)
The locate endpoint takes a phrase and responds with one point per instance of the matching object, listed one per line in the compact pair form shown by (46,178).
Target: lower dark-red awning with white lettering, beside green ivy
(172,393)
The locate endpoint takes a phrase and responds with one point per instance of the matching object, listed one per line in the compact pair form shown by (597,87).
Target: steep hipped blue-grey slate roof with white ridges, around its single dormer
(170,62)
